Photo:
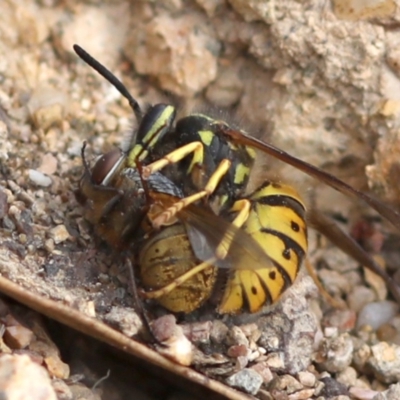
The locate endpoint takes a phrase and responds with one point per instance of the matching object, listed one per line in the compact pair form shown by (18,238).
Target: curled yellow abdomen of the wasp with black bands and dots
(276,222)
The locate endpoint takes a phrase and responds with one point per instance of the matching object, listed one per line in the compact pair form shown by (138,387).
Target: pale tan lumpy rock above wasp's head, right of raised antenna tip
(183,59)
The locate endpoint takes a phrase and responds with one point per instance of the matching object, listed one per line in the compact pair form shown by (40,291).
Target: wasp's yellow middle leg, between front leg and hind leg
(166,216)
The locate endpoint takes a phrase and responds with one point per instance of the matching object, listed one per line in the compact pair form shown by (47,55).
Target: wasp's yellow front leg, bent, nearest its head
(174,156)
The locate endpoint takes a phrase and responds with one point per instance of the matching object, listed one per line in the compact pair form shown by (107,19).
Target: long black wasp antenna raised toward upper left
(106,74)
